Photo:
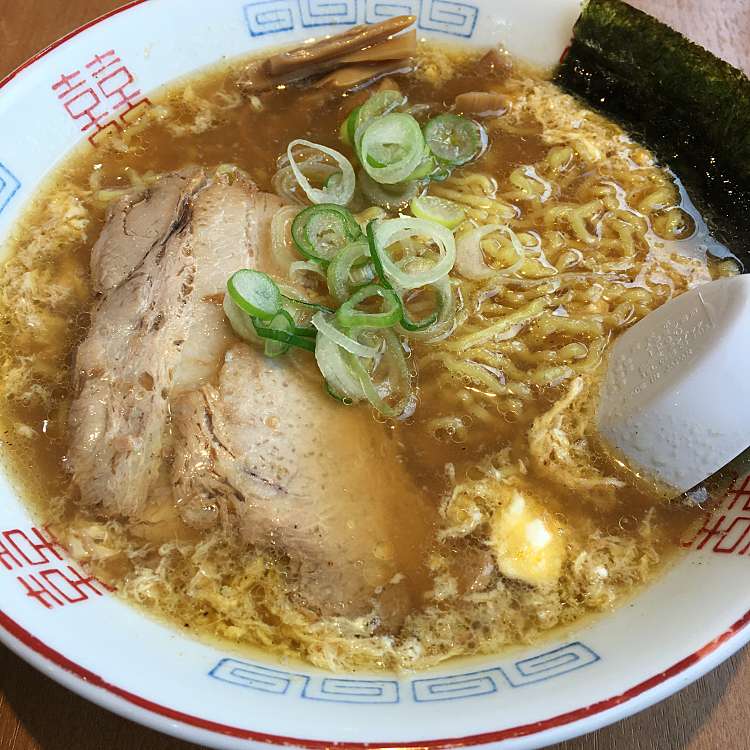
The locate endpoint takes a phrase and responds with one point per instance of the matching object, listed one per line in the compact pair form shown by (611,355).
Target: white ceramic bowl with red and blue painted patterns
(72,629)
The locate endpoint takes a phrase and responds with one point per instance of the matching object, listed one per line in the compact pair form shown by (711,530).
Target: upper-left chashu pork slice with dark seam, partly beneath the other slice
(160,267)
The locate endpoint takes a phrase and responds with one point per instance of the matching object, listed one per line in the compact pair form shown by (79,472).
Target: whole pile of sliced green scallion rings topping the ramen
(392,283)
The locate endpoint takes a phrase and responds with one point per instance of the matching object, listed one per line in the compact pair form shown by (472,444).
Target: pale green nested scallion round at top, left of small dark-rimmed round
(392,147)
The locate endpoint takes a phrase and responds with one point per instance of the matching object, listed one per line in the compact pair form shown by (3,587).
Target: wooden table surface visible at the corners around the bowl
(37,714)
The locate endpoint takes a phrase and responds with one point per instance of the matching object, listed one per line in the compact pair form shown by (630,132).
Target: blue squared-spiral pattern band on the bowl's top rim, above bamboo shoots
(276,16)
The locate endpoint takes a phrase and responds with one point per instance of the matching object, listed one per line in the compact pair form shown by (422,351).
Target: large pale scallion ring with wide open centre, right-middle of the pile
(382,234)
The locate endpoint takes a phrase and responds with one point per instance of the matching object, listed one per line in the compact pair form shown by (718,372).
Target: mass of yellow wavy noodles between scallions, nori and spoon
(589,213)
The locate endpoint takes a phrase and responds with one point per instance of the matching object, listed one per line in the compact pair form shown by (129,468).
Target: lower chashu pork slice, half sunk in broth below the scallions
(298,473)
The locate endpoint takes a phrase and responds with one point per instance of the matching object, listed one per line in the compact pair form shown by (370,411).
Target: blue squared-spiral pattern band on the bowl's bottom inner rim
(545,666)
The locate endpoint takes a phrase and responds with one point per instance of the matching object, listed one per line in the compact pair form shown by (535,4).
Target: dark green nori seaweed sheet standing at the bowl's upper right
(689,107)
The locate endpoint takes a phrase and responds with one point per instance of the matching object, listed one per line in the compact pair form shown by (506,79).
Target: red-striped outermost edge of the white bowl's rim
(131,706)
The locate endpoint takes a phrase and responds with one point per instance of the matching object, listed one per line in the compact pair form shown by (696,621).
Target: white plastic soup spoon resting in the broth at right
(675,402)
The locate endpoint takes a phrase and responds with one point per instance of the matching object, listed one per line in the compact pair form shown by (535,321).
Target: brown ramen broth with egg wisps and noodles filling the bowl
(502,418)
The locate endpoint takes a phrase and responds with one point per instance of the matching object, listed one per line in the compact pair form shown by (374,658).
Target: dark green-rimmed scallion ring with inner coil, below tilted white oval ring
(319,232)
